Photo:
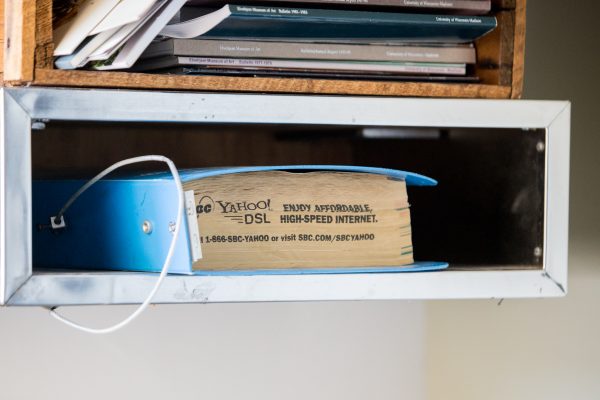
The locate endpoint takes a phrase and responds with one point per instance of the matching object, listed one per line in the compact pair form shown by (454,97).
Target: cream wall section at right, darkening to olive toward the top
(539,349)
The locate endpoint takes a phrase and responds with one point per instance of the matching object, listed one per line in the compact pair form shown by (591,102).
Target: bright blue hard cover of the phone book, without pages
(104,225)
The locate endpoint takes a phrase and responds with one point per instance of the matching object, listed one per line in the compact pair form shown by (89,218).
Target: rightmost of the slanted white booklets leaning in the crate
(134,47)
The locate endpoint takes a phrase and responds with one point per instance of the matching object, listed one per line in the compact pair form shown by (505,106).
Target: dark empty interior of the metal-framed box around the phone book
(486,212)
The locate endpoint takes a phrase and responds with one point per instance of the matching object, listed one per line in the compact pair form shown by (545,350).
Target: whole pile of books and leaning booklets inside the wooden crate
(370,39)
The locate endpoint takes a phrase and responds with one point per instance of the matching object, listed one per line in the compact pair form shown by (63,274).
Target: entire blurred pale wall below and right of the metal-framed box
(533,349)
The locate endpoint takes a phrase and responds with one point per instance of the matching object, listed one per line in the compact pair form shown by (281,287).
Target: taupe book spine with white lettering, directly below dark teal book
(315,51)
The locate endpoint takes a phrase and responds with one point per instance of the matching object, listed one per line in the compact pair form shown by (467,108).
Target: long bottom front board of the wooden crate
(50,77)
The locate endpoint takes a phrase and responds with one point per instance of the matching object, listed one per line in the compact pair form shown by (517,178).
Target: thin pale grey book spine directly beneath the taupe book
(414,68)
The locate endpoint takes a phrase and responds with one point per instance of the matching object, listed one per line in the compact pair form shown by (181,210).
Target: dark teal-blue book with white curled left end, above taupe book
(320,25)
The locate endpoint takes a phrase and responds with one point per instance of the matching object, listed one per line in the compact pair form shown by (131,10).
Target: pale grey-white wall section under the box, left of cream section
(273,351)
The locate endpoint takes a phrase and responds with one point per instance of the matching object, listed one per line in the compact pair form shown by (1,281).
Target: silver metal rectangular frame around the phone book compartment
(25,107)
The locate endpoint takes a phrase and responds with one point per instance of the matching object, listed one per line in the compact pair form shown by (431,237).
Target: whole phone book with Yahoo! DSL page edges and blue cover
(244,220)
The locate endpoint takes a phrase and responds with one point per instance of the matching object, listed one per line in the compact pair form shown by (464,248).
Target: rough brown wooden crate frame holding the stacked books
(28,61)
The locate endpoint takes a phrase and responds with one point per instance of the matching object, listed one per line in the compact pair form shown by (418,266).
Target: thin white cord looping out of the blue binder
(180,199)
